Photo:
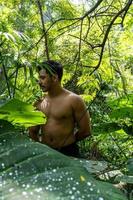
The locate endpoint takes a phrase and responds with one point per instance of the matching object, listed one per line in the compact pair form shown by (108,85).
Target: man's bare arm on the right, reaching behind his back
(82,119)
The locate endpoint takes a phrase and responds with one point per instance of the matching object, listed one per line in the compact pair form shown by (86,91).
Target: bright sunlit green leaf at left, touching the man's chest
(21,113)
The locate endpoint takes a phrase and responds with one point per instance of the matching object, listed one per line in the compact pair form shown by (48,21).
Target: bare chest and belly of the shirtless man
(59,128)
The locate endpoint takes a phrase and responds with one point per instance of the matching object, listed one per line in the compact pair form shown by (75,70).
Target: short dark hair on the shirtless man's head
(51,67)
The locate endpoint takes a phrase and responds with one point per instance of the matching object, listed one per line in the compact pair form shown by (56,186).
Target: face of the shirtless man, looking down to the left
(45,81)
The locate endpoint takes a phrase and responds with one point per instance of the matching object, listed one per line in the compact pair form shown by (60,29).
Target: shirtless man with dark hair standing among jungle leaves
(64,111)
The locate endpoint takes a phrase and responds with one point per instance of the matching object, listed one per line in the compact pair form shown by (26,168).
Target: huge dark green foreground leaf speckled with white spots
(32,170)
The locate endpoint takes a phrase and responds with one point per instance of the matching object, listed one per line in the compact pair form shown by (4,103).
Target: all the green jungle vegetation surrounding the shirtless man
(93,39)
